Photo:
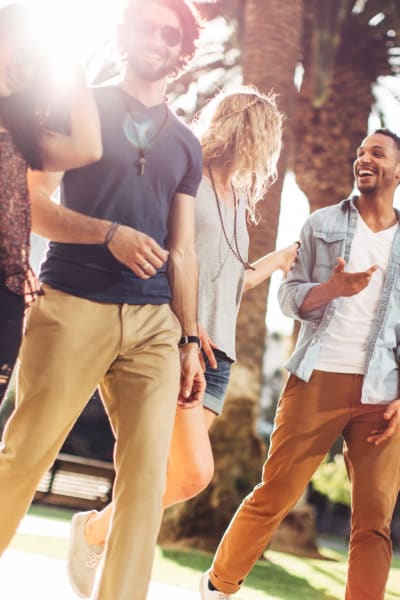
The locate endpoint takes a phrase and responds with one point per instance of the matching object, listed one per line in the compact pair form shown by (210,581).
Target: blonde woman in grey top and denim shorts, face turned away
(240,133)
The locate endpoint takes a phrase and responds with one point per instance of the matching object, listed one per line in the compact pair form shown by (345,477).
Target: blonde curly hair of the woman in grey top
(240,130)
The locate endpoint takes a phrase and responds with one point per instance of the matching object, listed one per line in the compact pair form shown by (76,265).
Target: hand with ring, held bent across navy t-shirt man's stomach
(137,251)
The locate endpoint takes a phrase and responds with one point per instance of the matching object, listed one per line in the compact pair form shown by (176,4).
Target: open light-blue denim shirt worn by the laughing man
(327,234)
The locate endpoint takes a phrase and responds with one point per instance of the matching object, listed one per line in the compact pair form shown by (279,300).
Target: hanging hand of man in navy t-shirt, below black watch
(193,382)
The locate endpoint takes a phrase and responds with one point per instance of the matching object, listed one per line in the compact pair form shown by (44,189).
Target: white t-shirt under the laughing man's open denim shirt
(344,344)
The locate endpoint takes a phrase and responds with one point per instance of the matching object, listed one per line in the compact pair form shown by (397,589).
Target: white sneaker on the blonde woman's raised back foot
(82,559)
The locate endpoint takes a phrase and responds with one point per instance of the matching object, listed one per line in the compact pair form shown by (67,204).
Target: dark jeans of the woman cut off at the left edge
(12,308)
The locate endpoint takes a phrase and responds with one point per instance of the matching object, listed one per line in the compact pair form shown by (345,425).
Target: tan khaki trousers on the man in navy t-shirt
(71,346)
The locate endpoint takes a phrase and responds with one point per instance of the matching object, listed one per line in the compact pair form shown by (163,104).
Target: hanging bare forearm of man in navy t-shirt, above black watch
(183,280)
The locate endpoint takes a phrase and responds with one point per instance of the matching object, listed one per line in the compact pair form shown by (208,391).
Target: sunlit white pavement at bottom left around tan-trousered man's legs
(32,576)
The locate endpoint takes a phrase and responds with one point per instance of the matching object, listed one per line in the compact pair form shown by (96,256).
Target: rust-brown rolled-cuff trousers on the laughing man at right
(310,417)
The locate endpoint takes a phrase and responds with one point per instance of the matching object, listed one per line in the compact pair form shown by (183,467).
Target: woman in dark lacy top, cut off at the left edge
(27,99)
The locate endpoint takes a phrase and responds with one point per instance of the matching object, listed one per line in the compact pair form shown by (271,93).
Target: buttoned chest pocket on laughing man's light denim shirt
(329,245)
